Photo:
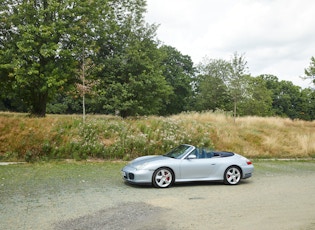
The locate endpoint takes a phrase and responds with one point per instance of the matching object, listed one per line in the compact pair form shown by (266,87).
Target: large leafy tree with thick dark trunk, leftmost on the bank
(32,60)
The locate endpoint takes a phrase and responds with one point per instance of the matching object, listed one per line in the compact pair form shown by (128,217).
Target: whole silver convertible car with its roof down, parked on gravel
(187,163)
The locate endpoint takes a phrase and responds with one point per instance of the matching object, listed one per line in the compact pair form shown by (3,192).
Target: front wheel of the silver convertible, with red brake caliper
(163,178)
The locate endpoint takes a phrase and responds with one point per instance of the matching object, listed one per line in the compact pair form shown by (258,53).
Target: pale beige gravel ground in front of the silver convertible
(276,197)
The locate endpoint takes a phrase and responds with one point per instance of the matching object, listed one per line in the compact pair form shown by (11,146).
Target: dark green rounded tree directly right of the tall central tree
(178,71)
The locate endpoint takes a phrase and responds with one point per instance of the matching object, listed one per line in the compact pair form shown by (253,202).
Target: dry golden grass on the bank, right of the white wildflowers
(259,137)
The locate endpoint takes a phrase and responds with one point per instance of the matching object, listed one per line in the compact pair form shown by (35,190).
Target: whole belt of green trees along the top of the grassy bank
(66,56)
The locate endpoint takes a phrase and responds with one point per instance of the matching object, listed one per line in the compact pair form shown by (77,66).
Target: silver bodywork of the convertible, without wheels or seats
(187,166)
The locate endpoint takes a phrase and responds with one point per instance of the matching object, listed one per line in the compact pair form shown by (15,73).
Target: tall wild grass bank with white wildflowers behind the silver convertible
(110,137)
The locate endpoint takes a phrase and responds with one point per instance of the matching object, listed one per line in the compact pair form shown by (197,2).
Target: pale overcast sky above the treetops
(275,36)
